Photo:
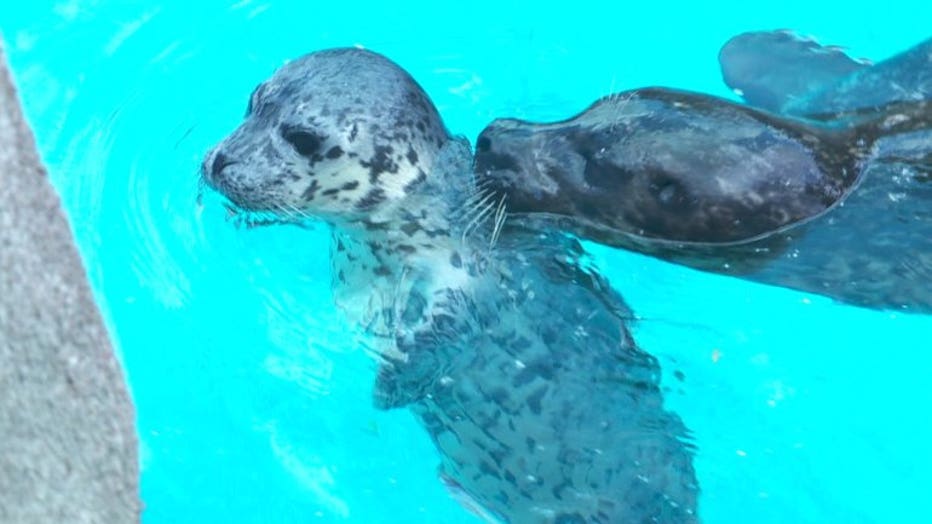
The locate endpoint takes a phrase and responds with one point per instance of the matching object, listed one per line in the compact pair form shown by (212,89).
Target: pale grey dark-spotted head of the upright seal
(331,133)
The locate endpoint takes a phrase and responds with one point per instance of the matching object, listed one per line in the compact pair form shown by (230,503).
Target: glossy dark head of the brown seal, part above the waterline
(670,165)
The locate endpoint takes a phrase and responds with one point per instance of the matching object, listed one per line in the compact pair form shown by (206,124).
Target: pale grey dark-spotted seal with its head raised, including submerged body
(514,354)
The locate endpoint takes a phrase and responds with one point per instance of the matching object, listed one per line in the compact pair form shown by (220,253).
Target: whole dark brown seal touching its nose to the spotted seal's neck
(836,203)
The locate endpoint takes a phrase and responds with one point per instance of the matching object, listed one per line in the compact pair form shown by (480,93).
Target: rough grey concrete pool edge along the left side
(68,443)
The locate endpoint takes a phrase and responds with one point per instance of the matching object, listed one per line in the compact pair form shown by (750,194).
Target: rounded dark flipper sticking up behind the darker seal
(772,69)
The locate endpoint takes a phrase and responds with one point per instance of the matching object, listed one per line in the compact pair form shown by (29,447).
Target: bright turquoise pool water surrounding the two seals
(253,400)
